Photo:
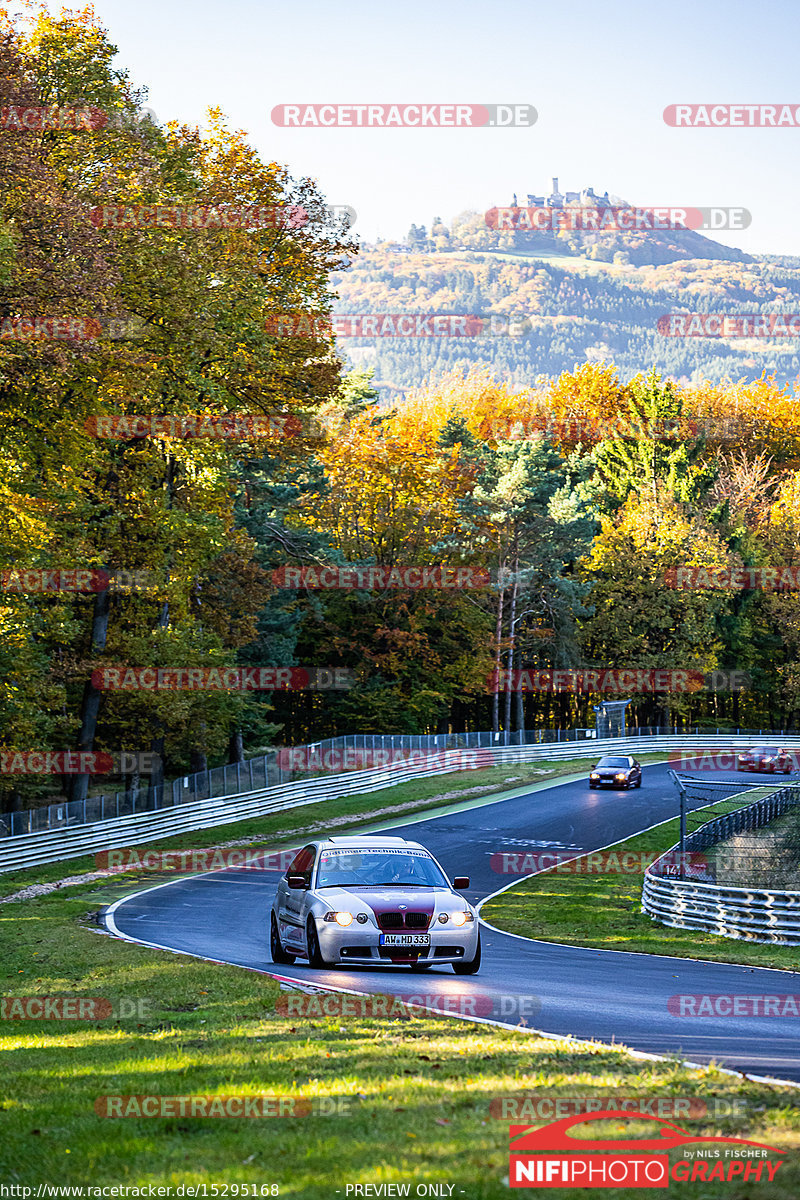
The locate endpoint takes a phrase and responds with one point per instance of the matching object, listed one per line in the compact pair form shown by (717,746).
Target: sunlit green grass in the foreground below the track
(419,1090)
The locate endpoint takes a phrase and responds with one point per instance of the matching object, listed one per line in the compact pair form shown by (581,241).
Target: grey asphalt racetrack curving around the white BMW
(560,989)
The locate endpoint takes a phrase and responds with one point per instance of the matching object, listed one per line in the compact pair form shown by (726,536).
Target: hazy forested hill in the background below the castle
(564,299)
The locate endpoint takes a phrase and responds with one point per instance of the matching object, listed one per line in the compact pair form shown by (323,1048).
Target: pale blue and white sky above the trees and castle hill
(599,73)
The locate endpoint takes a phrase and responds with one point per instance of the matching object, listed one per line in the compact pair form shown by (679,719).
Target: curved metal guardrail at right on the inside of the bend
(756,915)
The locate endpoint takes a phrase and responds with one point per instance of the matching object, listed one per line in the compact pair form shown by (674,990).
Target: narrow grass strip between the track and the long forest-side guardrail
(342,814)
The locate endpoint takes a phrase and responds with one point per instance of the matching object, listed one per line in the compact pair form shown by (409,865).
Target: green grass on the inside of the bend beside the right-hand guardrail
(605,911)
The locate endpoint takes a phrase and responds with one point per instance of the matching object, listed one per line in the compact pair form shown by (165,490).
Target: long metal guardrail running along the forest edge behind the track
(58,845)
